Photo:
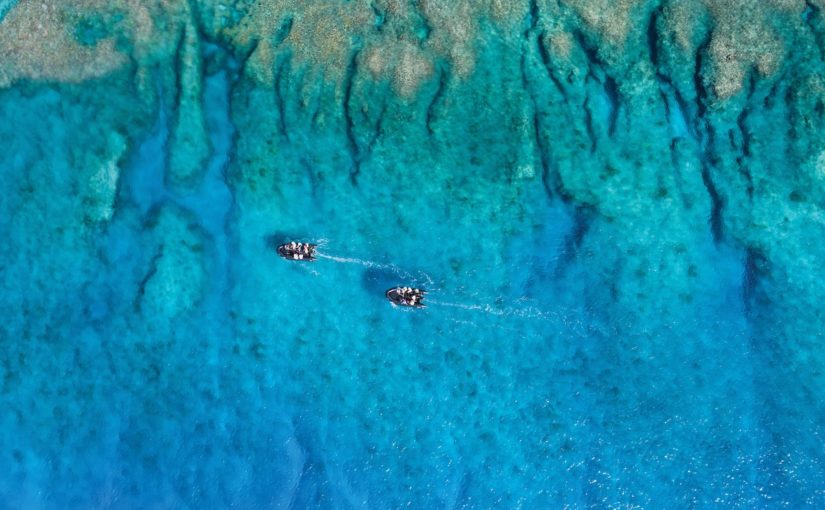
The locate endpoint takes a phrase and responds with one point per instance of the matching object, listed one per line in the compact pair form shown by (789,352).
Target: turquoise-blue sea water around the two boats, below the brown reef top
(595,343)
